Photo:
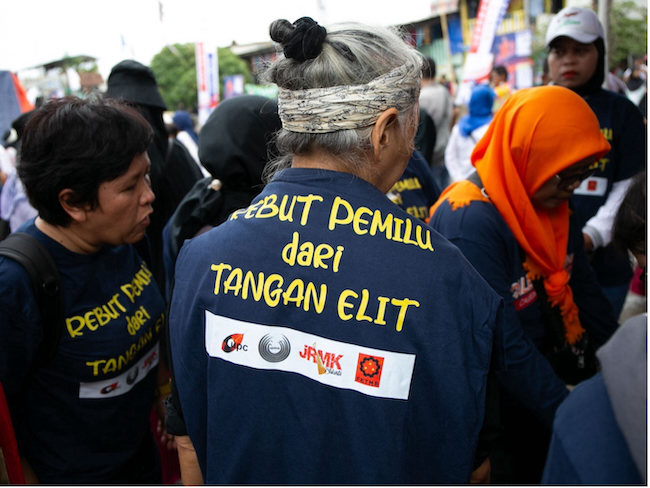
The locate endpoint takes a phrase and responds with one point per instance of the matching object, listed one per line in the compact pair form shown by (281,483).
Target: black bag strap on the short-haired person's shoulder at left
(38,262)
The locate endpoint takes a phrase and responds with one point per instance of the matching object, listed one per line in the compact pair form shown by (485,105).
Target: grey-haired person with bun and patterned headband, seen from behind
(322,335)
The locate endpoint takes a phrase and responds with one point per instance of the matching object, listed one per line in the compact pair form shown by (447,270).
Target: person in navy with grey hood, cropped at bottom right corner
(599,435)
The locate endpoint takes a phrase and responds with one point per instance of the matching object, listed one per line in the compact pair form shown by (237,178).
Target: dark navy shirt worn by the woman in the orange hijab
(483,236)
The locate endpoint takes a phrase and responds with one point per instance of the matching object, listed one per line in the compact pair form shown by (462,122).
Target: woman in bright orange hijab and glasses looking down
(511,219)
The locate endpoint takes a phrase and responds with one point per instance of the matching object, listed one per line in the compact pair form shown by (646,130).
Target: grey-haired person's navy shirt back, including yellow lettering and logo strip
(367,366)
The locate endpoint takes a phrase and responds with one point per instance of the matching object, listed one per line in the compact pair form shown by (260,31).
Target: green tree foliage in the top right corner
(628,31)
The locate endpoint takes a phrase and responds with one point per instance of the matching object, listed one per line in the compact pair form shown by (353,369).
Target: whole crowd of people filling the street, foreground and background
(350,284)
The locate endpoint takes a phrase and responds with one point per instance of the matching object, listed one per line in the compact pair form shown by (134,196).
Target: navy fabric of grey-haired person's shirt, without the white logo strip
(261,426)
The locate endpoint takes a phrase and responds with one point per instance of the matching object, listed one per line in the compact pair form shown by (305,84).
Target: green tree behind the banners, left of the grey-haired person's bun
(175,70)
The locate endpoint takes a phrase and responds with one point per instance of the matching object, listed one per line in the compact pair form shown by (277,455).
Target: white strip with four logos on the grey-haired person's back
(374,372)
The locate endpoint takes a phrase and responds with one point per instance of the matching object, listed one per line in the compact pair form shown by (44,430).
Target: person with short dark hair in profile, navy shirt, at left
(83,418)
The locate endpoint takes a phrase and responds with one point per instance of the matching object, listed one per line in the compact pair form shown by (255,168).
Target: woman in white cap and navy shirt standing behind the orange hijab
(576,60)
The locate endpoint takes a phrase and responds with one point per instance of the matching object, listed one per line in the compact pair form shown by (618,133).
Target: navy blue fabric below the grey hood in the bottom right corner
(588,447)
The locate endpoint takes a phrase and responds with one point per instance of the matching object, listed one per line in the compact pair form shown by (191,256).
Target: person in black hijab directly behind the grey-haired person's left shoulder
(235,145)
